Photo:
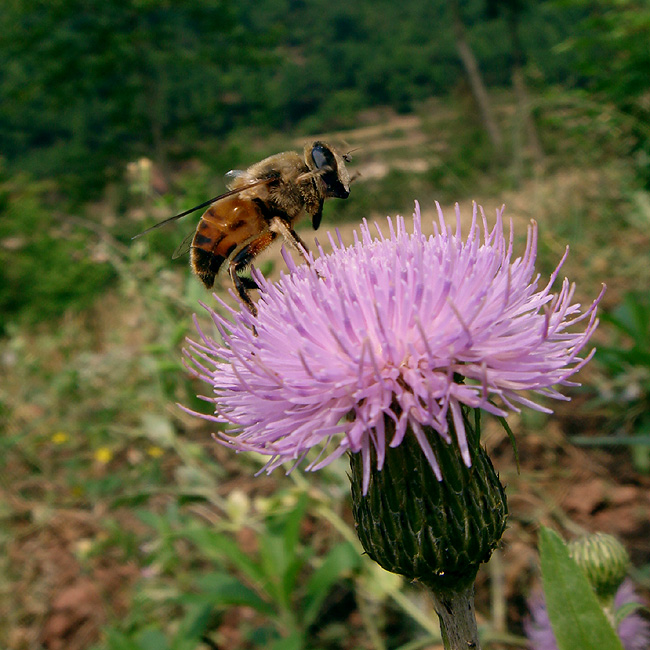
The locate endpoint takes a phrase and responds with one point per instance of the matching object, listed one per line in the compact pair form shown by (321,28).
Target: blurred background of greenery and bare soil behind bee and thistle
(124,526)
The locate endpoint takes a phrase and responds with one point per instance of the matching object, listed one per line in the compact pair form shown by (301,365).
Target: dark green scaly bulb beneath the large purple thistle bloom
(426,529)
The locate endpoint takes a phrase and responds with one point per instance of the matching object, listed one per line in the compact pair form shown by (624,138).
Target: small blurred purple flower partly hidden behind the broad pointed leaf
(633,630)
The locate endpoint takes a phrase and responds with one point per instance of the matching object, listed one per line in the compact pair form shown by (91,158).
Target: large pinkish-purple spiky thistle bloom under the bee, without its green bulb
(399,325)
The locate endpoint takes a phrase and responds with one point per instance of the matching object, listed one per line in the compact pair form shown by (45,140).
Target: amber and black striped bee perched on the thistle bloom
(262,203)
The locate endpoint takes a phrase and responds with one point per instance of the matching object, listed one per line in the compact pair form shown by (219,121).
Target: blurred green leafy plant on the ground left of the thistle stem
(278,577)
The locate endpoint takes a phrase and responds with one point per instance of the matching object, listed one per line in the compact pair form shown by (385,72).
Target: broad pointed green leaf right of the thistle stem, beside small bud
(578,621)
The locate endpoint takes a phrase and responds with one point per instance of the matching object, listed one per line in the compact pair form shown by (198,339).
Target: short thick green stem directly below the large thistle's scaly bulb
(455,610)
